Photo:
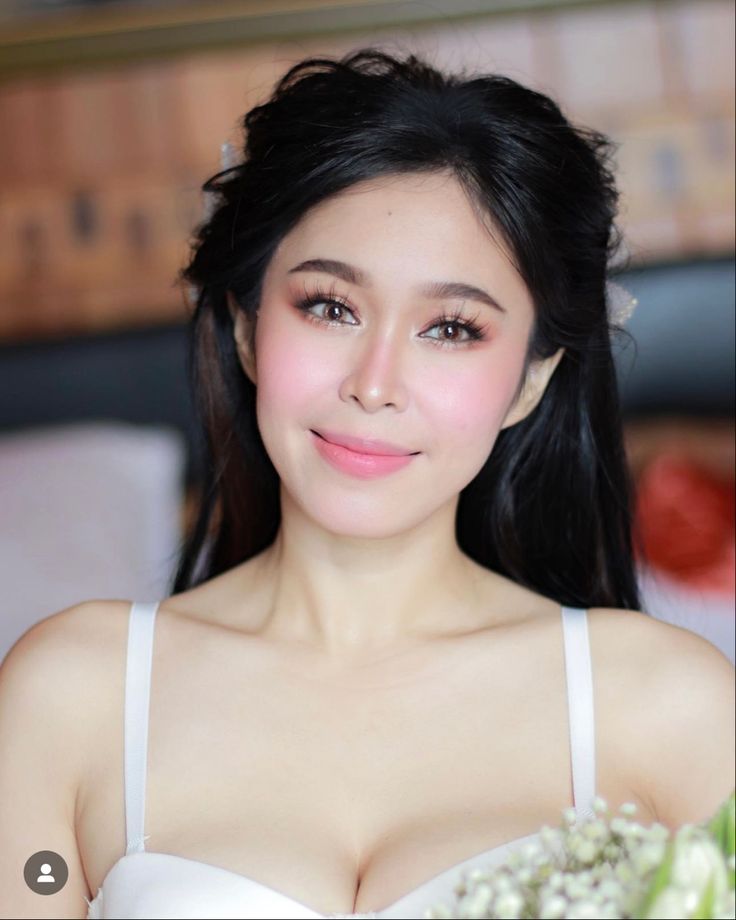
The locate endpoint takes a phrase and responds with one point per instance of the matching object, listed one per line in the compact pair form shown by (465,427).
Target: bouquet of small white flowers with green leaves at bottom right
(608,868)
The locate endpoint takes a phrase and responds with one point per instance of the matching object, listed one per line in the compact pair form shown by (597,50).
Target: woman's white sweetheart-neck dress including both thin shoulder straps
(148,885)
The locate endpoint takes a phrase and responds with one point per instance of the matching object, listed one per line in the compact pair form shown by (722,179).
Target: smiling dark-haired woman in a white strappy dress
(404,633)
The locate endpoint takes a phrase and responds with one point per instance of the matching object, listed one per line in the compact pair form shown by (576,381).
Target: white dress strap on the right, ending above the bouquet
(580,702)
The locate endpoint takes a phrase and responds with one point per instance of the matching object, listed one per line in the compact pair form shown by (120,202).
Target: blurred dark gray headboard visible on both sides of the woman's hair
(683,362)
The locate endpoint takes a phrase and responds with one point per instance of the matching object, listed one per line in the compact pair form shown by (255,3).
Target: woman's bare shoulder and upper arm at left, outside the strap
(53,684)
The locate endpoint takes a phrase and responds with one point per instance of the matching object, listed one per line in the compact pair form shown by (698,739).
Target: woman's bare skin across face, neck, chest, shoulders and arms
(361,706)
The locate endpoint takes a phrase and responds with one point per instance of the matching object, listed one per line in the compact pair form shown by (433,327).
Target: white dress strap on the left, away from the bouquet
(137,693)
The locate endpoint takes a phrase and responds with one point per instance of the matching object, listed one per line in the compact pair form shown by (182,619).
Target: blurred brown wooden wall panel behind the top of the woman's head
(100,171)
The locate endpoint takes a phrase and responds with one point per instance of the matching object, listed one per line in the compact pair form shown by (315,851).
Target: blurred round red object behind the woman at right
(686,520)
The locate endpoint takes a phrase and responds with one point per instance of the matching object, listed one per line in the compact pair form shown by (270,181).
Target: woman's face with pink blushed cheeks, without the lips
(381,361)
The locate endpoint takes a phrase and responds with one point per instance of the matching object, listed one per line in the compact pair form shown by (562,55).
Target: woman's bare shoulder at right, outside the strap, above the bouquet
(676,690)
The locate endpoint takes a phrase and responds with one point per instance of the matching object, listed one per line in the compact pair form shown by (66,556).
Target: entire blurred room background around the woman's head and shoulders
(112,115)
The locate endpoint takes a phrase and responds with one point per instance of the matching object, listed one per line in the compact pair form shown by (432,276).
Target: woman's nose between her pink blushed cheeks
(375,375)
